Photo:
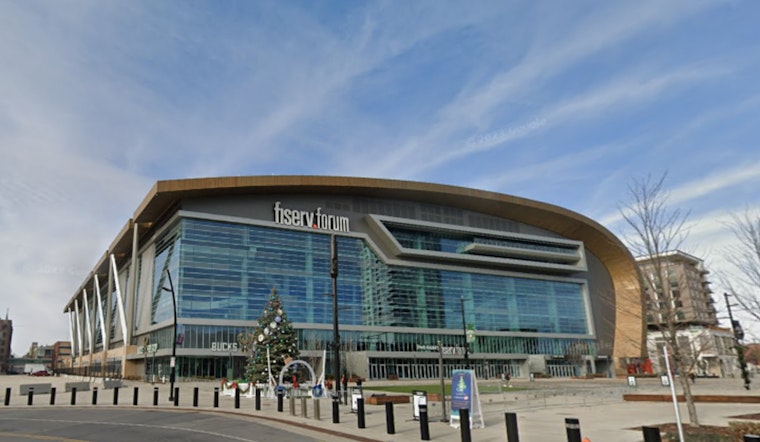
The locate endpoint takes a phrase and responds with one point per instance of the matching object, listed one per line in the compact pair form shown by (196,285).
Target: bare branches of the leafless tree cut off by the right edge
(745,259)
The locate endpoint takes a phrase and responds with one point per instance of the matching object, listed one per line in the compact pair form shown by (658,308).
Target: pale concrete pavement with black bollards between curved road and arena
(541,410)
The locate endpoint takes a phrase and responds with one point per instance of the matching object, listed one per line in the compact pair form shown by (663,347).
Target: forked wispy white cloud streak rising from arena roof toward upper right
(444,141)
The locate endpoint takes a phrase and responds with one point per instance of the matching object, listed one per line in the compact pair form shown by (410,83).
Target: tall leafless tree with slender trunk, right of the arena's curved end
(657,230)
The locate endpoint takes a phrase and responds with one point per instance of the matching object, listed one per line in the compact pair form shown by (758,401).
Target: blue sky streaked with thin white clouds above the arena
(562,102)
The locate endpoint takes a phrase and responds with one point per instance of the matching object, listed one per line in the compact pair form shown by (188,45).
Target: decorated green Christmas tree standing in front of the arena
(275,333)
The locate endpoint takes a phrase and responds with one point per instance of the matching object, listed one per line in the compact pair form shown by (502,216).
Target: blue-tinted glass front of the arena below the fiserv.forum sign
(226,271)
